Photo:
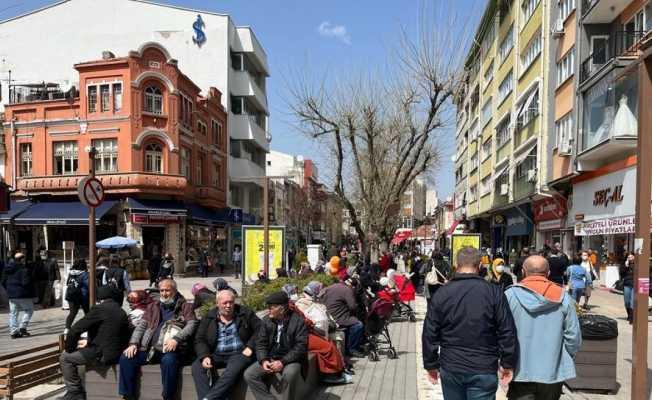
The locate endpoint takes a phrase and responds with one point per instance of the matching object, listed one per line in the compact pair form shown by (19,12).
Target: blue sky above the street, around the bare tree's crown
(334,37)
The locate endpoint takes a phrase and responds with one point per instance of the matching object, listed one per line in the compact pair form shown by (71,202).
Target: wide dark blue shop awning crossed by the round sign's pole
(61,213)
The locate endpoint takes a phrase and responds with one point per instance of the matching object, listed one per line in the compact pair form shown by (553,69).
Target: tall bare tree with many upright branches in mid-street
(384,130)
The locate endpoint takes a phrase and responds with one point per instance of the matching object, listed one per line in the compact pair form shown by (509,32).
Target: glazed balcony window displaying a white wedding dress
(610,120)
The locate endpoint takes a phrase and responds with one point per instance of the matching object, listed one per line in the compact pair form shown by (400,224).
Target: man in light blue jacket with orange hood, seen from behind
(548,334)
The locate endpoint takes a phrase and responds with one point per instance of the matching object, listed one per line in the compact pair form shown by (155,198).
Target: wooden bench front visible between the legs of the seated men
(103,385)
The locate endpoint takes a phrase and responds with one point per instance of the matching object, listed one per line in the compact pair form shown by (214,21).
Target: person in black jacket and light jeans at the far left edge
(18,281)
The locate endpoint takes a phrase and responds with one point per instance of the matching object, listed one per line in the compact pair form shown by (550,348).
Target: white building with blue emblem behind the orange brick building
(43,46)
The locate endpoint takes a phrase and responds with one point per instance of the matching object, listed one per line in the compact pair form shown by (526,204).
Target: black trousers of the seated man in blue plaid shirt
(209,385)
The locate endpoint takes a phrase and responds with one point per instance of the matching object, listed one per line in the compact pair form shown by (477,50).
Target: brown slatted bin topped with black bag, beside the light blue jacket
(596,361)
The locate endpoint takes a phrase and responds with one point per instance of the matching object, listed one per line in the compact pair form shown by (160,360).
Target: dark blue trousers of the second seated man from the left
(130,373)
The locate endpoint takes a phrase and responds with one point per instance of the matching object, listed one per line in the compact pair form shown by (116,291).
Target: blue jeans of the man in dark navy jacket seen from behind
(458,386)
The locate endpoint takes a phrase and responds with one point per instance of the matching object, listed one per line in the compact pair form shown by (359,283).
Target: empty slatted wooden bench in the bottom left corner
(26,369)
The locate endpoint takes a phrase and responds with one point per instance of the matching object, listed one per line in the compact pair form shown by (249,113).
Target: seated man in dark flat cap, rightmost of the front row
(281,347)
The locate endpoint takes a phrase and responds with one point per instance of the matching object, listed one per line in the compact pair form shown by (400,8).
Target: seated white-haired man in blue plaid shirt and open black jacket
(226,337)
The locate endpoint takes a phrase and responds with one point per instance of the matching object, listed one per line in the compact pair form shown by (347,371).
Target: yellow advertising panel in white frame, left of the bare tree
(253,250)
